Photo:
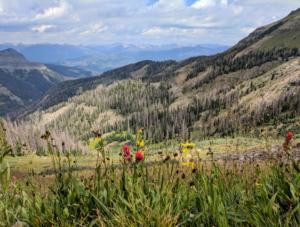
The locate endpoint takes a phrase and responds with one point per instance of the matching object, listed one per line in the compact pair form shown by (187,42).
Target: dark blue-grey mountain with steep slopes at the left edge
(23,81)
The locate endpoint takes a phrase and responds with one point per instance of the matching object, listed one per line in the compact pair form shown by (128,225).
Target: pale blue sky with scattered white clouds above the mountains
(138,22)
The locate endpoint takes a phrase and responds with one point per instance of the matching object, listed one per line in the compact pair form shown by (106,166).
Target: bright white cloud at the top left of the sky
(53,12)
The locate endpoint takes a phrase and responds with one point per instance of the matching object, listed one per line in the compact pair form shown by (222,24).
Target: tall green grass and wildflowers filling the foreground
(167,193)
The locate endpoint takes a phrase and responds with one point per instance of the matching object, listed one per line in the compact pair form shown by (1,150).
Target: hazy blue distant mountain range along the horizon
(102,58)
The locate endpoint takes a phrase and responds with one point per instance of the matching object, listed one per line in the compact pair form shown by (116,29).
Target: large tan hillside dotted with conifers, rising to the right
(254,84)
